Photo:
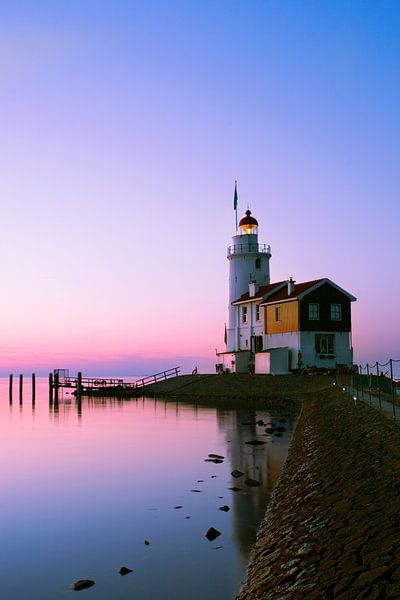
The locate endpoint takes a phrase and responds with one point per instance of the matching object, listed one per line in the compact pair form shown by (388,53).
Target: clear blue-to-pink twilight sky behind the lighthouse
(124,126)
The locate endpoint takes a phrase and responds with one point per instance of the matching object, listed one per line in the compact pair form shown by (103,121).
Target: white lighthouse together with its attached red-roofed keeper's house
(285,326)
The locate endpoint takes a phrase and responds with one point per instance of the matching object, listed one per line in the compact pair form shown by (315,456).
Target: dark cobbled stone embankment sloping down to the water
(332,527)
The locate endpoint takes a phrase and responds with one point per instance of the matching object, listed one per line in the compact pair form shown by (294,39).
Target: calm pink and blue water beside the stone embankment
(82,488)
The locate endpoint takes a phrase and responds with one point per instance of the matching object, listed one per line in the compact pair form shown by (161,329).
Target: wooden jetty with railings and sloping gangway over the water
(104,386)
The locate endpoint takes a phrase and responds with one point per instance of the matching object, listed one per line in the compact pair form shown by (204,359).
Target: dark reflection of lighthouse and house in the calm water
(262,463)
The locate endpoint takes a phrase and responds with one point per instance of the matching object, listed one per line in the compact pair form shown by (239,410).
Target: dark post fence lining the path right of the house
(376,384)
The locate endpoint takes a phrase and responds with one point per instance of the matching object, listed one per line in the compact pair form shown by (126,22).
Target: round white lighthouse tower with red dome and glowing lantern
(248,270)
